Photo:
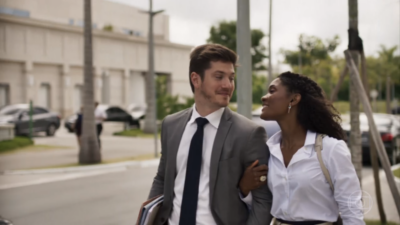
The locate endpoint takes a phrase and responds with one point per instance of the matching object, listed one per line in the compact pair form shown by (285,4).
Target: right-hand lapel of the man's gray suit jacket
(223,130)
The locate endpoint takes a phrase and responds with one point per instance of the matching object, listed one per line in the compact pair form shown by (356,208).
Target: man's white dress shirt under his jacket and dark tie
(203,216)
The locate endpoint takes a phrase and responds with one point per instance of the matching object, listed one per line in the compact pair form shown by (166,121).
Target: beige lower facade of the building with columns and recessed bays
(34,52)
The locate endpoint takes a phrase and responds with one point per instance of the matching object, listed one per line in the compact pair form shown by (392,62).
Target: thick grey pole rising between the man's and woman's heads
(244,71)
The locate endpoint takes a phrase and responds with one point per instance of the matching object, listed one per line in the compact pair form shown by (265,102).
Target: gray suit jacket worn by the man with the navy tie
(238,143)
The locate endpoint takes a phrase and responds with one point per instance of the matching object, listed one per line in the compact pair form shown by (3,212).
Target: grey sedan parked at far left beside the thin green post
(42,119)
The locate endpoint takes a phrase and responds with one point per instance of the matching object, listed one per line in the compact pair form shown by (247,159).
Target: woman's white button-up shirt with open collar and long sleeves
(301,191)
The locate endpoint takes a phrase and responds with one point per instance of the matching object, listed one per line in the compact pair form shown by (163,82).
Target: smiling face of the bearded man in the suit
(218,84)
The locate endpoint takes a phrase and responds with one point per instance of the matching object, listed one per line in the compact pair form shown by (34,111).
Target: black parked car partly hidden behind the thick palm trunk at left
(114,114)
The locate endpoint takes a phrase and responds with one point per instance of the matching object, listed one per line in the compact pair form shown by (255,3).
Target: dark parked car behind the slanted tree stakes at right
(389,128)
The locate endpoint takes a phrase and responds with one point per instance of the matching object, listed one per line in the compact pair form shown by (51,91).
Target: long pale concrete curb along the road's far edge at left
(144,163)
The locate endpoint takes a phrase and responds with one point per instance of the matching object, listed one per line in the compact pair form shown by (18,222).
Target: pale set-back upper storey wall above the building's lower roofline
(120,16)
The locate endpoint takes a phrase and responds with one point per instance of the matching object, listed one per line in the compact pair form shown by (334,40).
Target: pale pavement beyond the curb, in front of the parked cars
(114,147)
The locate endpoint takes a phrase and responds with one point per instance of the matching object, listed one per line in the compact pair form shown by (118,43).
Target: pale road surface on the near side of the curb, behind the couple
(110,198)
